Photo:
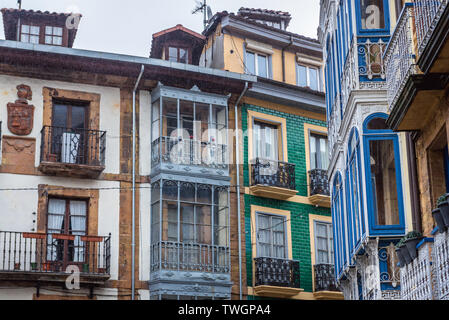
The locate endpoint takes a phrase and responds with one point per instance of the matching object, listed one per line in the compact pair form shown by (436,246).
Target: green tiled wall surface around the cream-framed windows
(299,212)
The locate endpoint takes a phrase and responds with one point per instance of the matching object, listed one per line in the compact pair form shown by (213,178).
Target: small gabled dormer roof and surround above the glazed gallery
(178,34)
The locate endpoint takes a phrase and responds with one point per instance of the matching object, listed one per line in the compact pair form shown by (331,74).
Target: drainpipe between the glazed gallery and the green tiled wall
(237,159)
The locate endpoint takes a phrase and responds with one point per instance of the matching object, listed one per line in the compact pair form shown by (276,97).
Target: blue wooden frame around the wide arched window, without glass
(375,135)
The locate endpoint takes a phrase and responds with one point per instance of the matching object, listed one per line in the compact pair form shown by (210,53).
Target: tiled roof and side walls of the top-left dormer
(11,16)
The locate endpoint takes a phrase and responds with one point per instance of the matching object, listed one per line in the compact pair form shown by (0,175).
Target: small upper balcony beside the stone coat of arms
(78,153)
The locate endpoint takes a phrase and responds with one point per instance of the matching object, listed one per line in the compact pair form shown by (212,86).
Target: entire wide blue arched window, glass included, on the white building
(383,176)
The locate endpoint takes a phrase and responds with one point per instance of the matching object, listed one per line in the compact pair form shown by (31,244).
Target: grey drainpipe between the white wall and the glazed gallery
(133,244)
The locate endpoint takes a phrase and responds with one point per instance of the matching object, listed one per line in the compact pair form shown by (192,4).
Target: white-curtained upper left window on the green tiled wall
(266,141)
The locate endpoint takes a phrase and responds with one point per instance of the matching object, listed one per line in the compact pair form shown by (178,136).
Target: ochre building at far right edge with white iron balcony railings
(417,76)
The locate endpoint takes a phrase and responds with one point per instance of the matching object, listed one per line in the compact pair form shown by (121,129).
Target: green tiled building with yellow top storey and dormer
(282,158)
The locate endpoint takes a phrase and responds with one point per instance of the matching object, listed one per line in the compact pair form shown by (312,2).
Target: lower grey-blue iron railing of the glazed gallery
(179,256)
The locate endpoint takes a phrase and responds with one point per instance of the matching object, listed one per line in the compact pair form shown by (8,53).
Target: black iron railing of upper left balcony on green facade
(273,173)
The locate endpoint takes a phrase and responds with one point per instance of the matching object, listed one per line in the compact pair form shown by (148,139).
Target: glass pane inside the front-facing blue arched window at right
(383,180)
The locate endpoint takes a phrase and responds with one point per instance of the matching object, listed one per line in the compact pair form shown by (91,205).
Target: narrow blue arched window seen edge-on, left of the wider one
(354,196)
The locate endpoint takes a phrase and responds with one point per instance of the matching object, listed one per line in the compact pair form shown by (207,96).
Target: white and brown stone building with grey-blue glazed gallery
(114,166)
